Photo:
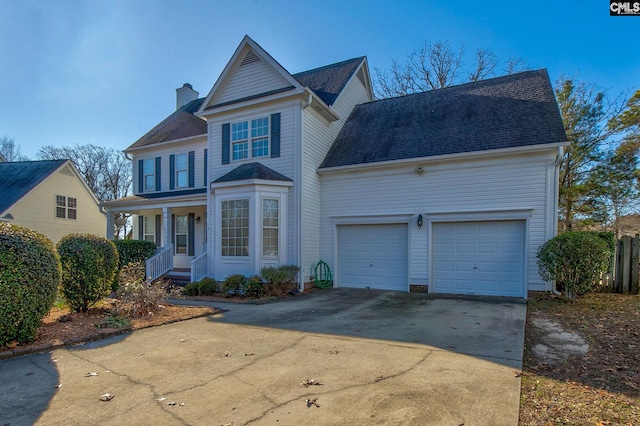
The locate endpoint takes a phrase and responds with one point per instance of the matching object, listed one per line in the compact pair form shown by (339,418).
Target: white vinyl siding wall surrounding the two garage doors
(517,183)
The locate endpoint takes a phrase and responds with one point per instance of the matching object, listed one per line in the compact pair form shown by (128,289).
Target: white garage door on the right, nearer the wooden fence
(484,258)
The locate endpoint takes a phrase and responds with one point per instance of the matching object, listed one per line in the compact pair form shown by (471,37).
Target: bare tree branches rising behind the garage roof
(437,65)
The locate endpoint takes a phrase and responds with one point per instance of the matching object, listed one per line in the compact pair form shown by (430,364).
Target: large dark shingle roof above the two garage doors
(504,112)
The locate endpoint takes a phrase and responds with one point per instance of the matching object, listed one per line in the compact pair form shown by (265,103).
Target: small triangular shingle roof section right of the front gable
(327,82)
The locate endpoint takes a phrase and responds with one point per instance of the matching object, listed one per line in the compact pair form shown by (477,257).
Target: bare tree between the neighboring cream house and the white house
(105,170)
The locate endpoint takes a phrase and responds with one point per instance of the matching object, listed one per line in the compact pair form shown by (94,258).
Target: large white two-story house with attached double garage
(451,190)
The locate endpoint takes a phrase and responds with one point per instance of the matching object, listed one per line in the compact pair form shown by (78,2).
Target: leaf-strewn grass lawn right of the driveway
(599,388)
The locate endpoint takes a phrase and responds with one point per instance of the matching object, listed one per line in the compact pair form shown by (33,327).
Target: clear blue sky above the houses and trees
(105,72)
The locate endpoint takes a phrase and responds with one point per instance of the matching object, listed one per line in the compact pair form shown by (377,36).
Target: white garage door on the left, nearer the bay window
(373,256)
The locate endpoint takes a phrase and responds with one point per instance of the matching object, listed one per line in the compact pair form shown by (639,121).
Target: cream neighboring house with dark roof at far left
(50,197)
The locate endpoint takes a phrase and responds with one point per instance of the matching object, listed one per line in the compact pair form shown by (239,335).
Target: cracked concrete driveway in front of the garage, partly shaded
(379,358)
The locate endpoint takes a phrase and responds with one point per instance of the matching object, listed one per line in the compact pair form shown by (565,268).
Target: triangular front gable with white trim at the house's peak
(250,74)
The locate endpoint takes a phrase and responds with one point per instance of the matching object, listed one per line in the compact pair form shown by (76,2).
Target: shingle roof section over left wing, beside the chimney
(181,124)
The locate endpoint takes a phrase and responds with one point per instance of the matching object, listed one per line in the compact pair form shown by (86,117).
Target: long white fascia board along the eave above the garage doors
(423,161)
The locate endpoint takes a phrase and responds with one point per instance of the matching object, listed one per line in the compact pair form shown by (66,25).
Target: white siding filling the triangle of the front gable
(251,79)
